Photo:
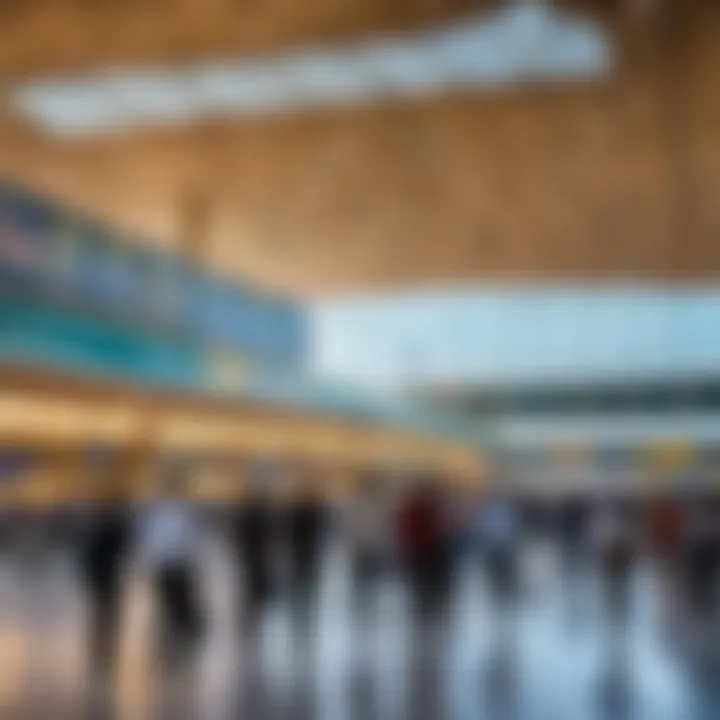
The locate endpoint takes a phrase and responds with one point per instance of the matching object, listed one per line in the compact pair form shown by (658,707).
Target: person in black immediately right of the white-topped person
(254,531)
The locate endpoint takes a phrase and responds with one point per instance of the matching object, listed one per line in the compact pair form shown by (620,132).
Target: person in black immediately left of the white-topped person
(103,554)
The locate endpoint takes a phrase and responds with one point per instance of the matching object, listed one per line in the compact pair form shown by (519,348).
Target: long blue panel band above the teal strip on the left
(98,269)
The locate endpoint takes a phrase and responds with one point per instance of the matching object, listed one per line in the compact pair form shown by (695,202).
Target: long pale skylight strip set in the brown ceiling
(527,41)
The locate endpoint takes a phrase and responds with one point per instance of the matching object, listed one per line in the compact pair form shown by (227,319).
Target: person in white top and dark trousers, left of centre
(170,543)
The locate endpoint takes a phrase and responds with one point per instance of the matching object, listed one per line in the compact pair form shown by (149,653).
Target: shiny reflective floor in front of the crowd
(556,657)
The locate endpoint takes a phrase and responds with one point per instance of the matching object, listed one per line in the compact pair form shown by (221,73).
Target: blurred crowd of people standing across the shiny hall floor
(418,531)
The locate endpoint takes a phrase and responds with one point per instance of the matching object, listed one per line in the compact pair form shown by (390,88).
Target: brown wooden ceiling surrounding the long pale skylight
(618,180)
